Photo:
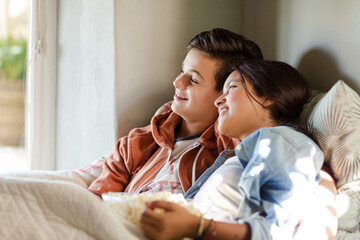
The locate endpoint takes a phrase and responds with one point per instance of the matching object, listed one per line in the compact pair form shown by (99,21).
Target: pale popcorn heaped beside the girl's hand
(130,206)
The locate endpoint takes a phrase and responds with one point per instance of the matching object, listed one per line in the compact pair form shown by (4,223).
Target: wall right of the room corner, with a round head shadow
(319,37)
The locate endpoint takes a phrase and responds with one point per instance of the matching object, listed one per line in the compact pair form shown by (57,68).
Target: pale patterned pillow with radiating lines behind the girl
(335,124)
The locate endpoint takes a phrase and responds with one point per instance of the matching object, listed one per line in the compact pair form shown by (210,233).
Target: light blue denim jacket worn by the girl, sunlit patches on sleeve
(281,172)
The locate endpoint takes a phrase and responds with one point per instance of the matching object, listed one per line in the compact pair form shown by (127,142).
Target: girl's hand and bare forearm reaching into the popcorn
(175,222)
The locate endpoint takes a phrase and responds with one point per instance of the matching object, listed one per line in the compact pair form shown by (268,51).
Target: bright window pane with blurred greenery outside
(13,47)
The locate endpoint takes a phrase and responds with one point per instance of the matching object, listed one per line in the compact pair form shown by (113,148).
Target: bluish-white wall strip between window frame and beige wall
(85,82)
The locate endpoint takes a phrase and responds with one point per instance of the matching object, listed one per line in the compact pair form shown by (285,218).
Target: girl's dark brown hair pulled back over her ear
(281,83)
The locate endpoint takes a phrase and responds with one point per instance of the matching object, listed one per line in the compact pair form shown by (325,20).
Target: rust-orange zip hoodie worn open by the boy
(132,166)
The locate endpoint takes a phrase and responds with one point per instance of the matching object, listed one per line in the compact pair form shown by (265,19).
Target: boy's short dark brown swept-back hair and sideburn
(227,47)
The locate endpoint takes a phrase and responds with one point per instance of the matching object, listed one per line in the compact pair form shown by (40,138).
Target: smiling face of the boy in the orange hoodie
(195,88)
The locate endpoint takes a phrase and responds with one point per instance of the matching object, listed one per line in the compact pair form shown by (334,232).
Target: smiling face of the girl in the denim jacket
(239,113)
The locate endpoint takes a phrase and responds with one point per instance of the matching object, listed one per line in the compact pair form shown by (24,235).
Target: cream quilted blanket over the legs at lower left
(39,209)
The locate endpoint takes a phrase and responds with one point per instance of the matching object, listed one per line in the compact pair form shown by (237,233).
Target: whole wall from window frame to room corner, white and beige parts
(116,63)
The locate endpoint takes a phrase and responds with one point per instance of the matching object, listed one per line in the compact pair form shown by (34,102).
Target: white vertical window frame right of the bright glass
(41,85)
